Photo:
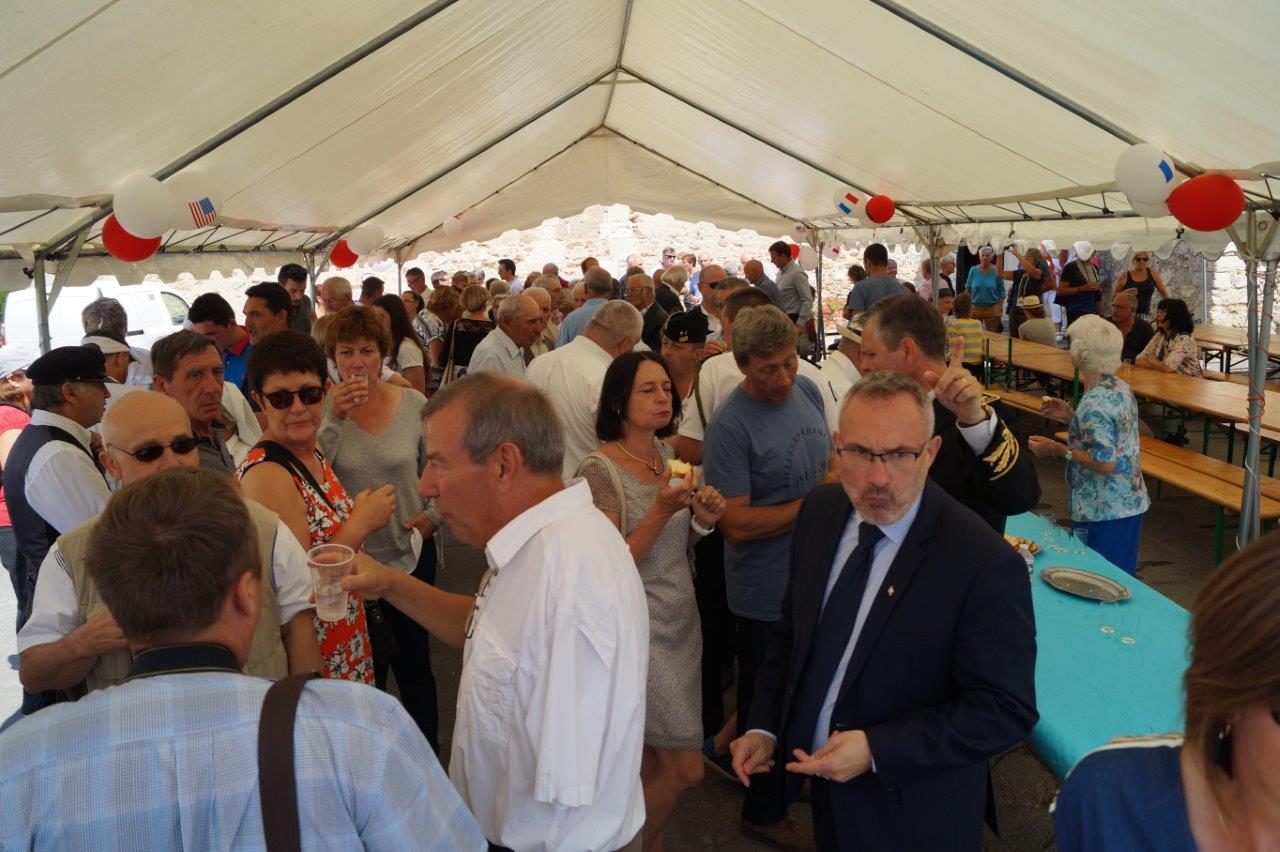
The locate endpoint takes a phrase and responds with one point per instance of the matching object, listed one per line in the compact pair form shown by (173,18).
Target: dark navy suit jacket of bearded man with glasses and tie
(941,680)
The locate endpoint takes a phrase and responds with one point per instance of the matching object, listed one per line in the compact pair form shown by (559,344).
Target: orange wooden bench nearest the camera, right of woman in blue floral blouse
(1206,478)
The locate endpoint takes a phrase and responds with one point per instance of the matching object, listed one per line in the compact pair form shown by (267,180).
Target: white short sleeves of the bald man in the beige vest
(56,610)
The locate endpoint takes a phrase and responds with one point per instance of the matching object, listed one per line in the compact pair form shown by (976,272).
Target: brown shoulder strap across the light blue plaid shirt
(277,784)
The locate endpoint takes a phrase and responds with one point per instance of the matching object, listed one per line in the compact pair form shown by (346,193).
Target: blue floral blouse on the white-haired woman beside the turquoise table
(1107,428)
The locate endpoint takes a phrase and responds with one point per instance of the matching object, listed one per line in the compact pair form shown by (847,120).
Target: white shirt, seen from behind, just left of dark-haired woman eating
(572,377)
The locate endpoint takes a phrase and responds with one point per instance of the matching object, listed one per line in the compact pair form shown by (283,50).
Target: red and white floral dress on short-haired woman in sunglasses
(346,651)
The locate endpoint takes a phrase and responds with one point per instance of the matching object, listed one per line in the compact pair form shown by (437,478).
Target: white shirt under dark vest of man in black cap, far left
(63,485)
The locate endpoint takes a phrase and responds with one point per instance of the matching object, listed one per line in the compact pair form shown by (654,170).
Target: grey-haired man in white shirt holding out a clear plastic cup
(556,645)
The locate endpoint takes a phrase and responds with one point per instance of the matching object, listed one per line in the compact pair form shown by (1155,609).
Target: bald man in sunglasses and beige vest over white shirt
(66,645)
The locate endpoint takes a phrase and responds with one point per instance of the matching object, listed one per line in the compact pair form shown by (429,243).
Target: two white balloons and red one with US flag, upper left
(145,209)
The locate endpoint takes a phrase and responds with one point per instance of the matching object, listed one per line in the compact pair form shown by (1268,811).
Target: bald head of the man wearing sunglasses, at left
(138,420)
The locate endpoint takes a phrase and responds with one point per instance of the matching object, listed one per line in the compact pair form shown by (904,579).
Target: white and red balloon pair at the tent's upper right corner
(1146,176)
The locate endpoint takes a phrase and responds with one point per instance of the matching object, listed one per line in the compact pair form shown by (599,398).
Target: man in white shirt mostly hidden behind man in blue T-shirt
(721,375)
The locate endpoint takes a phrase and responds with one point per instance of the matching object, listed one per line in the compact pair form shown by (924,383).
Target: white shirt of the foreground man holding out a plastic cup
(551,704)
